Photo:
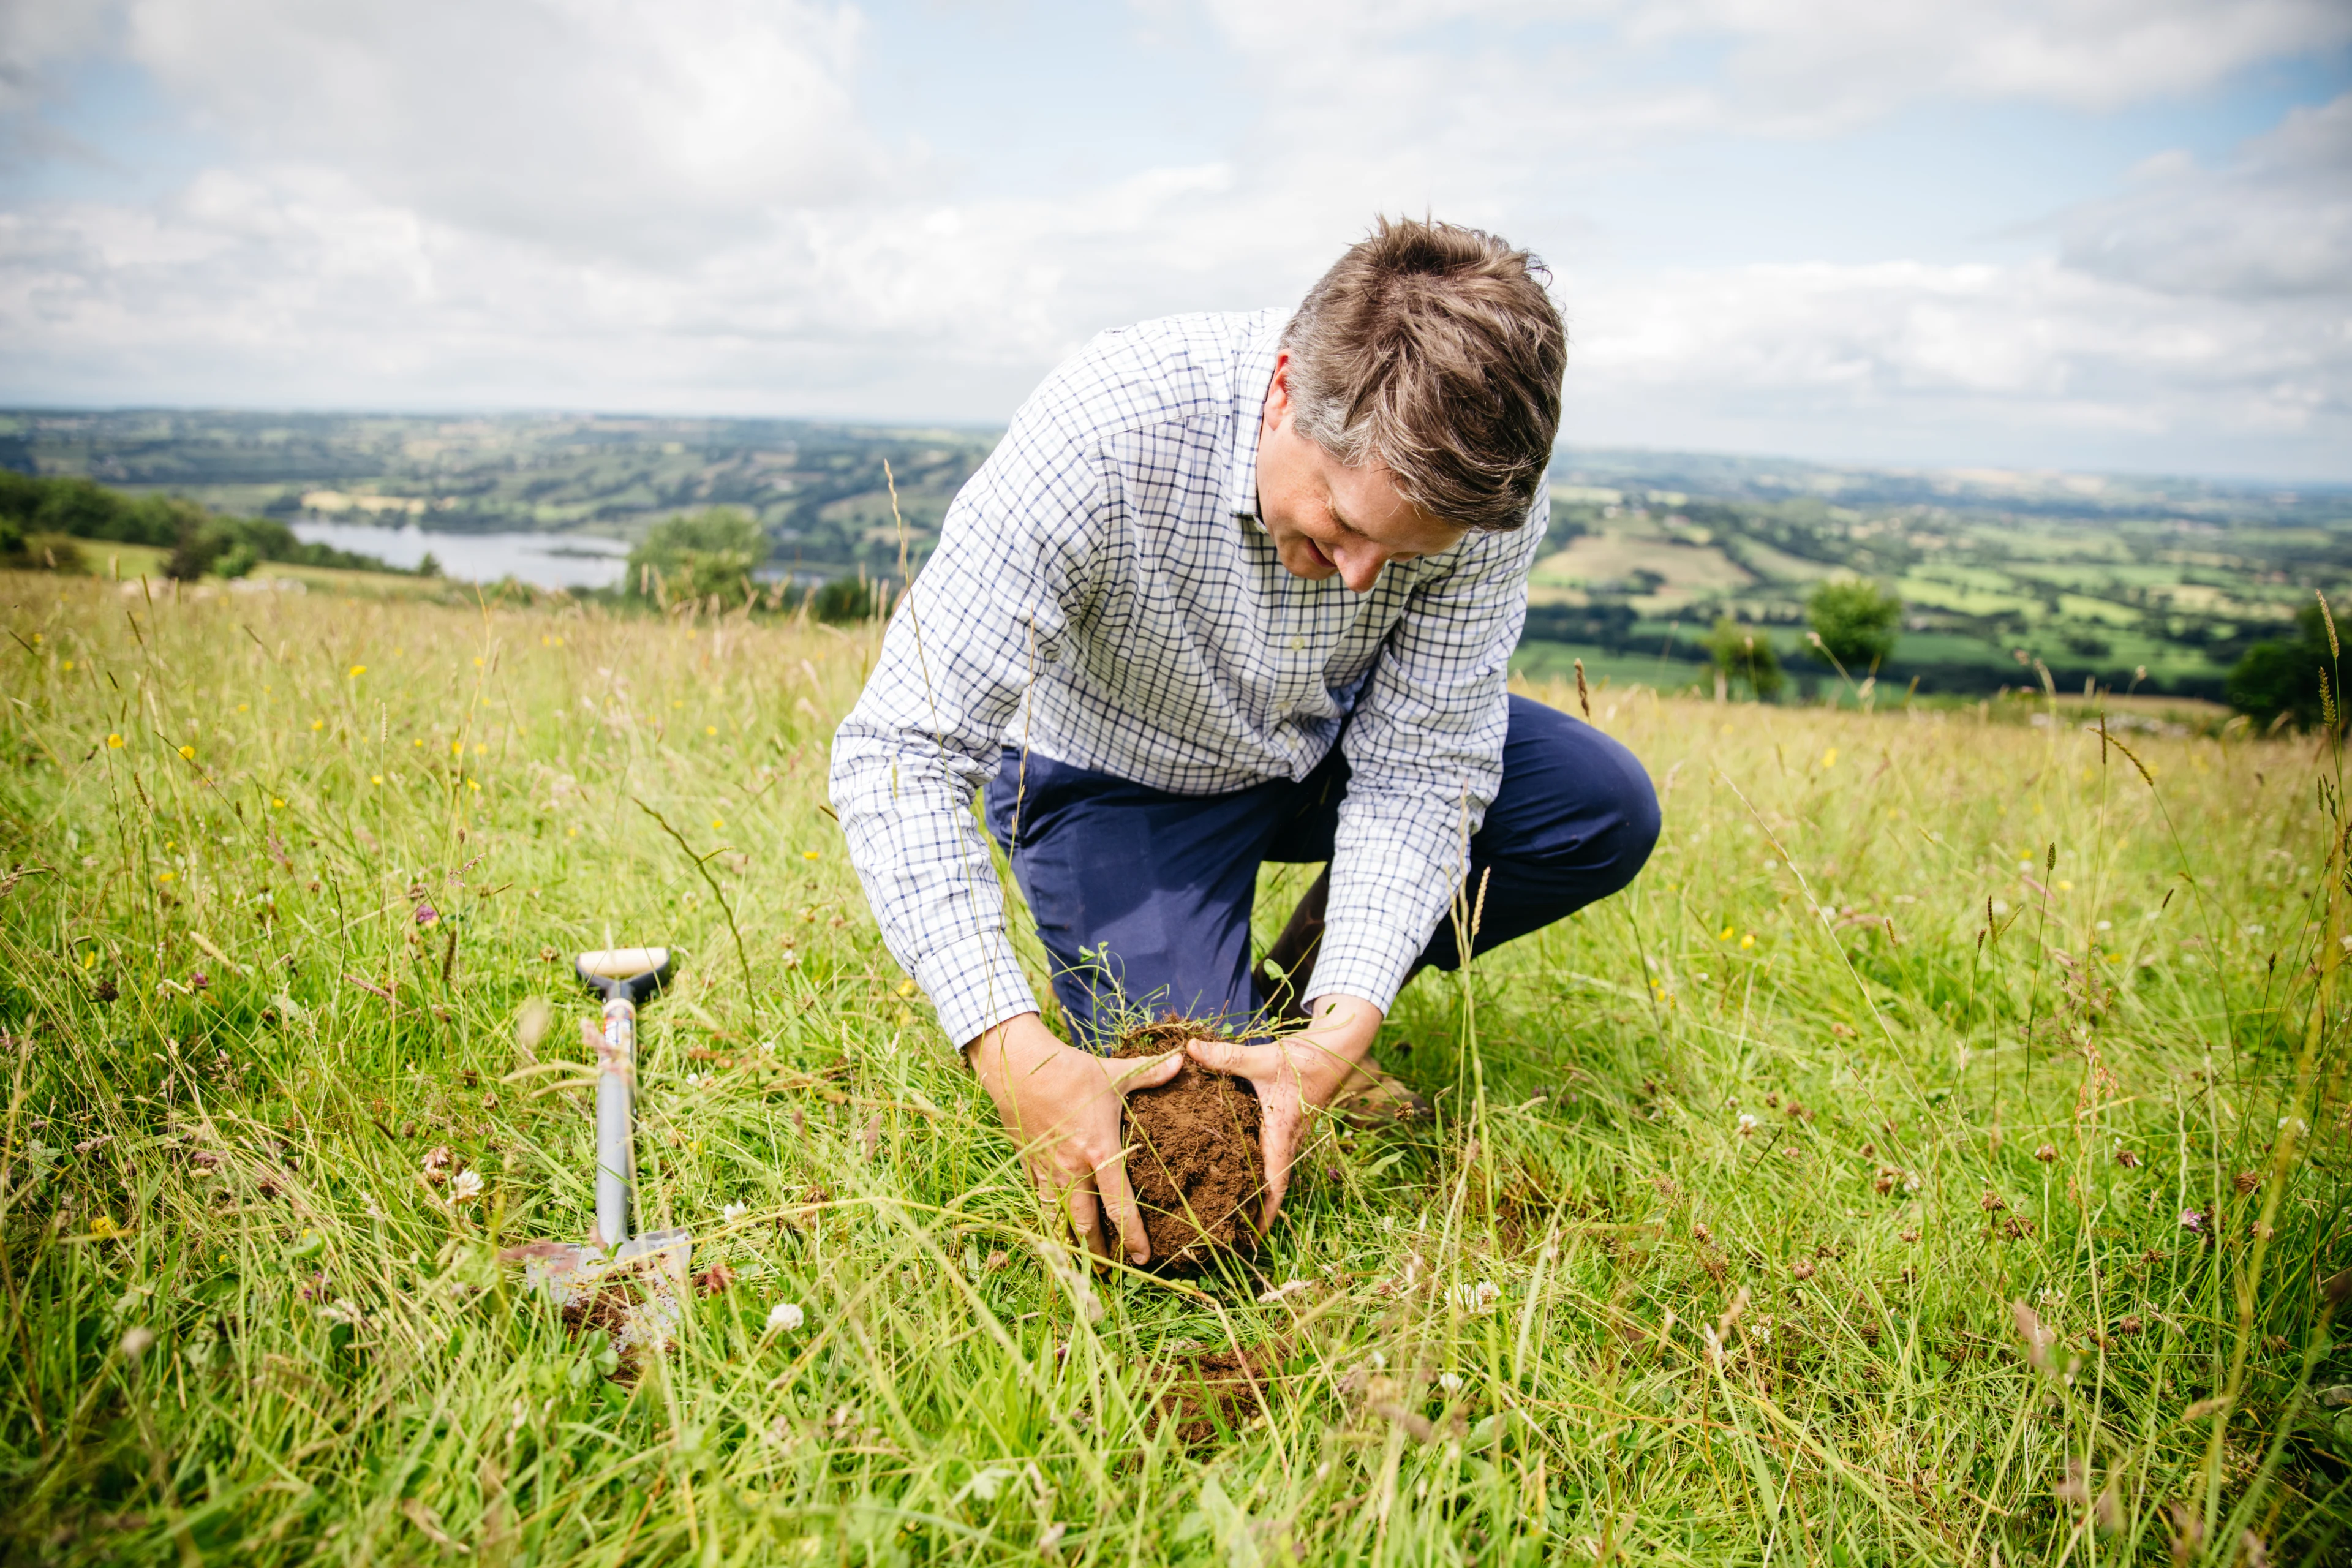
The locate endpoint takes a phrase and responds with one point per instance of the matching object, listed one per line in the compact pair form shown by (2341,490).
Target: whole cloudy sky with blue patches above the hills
(2019,234)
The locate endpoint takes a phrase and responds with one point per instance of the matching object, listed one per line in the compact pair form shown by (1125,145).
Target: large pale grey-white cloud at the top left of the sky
(587,126)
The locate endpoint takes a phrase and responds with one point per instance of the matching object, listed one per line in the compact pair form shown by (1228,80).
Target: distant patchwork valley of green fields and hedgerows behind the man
(2134,584)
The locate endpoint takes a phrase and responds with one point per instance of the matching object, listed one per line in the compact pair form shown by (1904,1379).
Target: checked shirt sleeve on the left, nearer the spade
(984,615)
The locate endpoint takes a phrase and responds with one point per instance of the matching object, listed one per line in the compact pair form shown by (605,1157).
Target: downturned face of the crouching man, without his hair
(1328,518)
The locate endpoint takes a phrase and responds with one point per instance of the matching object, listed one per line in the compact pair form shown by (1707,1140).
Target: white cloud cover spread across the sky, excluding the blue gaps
(688,208)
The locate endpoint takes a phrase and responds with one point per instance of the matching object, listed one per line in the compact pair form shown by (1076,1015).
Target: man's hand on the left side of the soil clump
(1062,1108)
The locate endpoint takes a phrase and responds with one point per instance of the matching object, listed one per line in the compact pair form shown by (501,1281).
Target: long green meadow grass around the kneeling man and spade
(1819,1200)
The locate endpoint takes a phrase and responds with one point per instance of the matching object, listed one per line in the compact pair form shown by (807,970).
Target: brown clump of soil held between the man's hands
(1196,1160)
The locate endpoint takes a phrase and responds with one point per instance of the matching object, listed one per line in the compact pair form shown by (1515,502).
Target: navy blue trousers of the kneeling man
(1144,897)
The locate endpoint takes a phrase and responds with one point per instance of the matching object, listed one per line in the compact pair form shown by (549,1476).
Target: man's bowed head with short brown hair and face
(1417,396)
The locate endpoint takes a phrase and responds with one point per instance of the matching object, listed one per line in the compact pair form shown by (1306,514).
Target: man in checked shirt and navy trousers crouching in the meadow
(1238,589)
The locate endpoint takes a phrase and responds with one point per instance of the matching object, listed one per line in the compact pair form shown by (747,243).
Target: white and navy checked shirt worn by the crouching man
(1107,596)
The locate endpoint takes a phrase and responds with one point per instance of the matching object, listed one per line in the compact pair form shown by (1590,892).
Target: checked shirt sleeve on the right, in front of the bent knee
(1424,763)
